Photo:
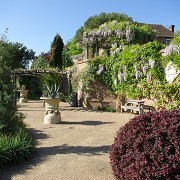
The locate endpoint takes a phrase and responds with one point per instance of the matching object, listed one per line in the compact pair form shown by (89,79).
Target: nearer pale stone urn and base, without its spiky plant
(52,114)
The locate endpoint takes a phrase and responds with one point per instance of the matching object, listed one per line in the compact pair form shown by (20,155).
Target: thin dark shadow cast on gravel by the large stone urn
(87,123)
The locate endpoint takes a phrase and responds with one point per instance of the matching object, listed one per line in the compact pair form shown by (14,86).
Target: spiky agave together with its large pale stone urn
(52,98)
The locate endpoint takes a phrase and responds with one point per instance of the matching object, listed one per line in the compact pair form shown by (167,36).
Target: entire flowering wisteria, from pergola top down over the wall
(132,63)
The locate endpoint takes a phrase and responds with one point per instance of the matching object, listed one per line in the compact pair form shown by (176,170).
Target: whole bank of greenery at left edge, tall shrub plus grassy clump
(15,143)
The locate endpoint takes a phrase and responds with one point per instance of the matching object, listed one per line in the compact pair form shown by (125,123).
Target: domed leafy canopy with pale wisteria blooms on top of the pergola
(107,29)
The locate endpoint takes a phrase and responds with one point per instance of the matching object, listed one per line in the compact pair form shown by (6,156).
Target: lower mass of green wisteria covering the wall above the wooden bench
(137,71)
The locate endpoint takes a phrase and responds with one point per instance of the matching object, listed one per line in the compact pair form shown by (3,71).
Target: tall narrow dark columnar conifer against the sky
(56,52)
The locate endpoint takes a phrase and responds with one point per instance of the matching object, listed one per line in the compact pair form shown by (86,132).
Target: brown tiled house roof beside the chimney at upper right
(161,30)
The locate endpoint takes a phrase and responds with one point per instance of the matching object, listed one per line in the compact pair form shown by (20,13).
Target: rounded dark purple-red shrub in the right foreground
(148,147)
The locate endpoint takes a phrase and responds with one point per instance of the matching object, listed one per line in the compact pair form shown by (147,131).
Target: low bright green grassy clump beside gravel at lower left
(16,144)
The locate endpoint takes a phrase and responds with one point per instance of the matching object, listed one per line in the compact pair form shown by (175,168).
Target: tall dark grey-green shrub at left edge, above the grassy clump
(7,106)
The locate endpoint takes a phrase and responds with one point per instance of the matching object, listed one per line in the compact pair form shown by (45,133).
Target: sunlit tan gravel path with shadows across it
(76,149)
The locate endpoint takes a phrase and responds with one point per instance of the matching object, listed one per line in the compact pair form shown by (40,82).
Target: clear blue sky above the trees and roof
(34,23)
